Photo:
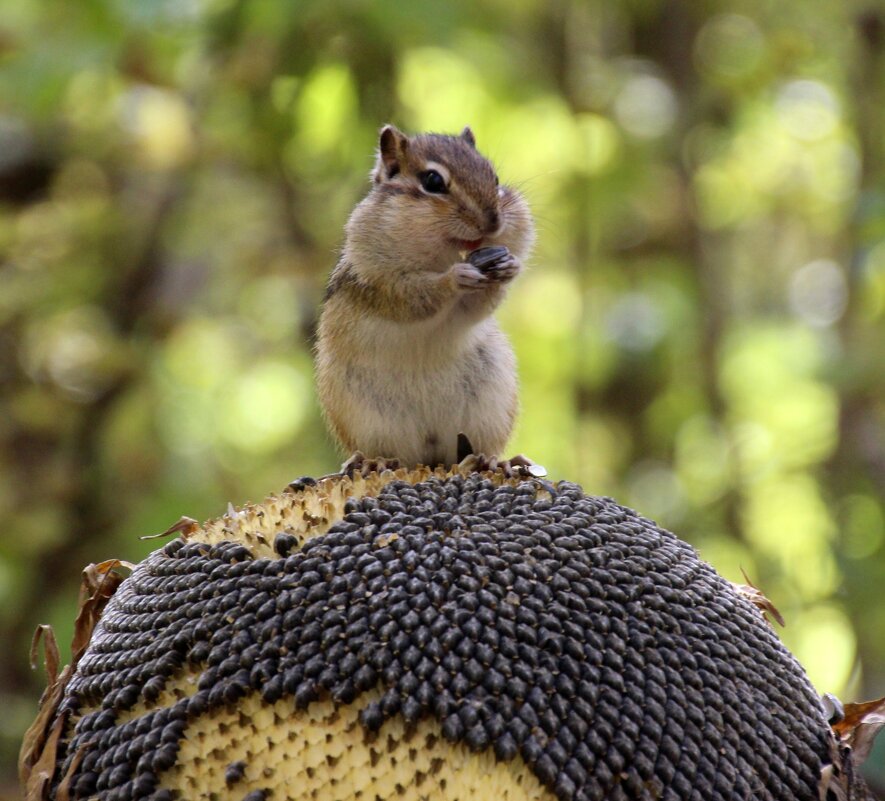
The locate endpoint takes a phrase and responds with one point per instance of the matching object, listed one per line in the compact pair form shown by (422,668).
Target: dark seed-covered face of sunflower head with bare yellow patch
(524,624)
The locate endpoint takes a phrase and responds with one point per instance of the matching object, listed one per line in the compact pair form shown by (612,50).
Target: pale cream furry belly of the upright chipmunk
(411,399)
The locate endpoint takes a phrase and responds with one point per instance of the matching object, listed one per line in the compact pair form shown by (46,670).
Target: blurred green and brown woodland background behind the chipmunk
(701,334)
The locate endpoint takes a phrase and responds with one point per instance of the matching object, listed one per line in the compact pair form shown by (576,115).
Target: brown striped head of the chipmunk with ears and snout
(452,190)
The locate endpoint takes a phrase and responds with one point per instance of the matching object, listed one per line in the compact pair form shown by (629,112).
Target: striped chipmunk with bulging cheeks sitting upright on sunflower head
(408,355)
